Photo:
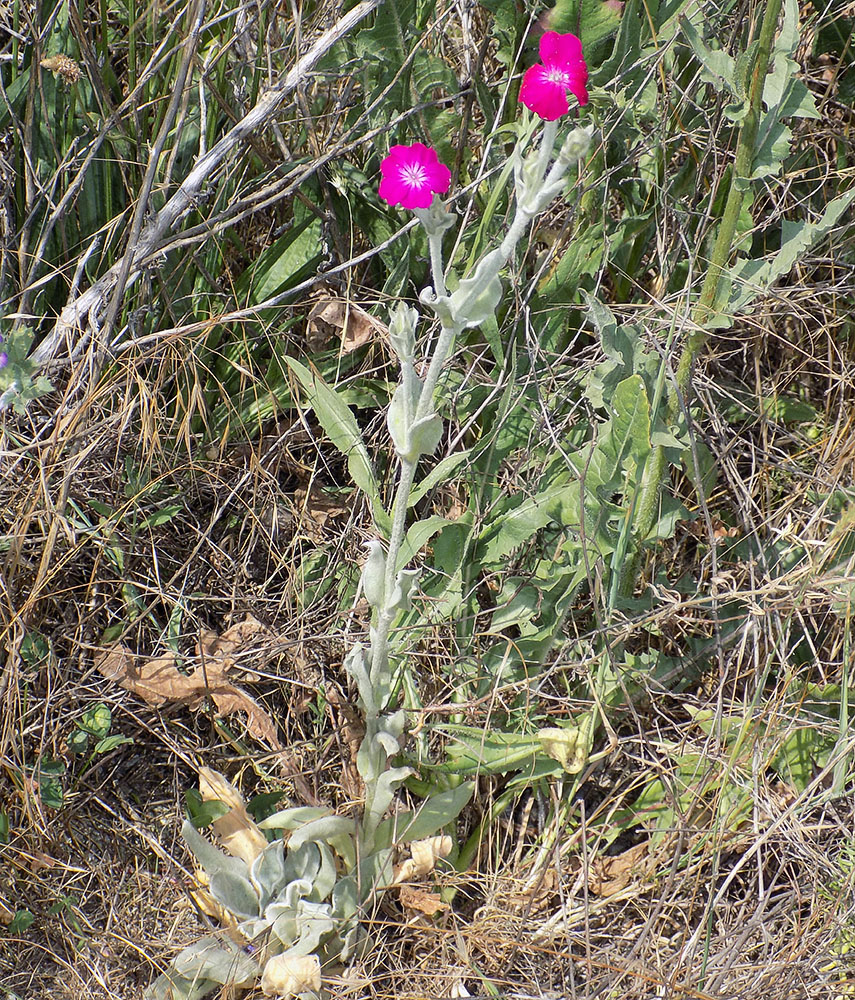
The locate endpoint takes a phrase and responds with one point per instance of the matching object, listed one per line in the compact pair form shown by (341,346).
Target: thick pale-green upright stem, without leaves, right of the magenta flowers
(654,468)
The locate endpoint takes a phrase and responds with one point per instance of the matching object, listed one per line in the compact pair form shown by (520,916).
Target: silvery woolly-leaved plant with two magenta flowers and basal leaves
(295,903)
